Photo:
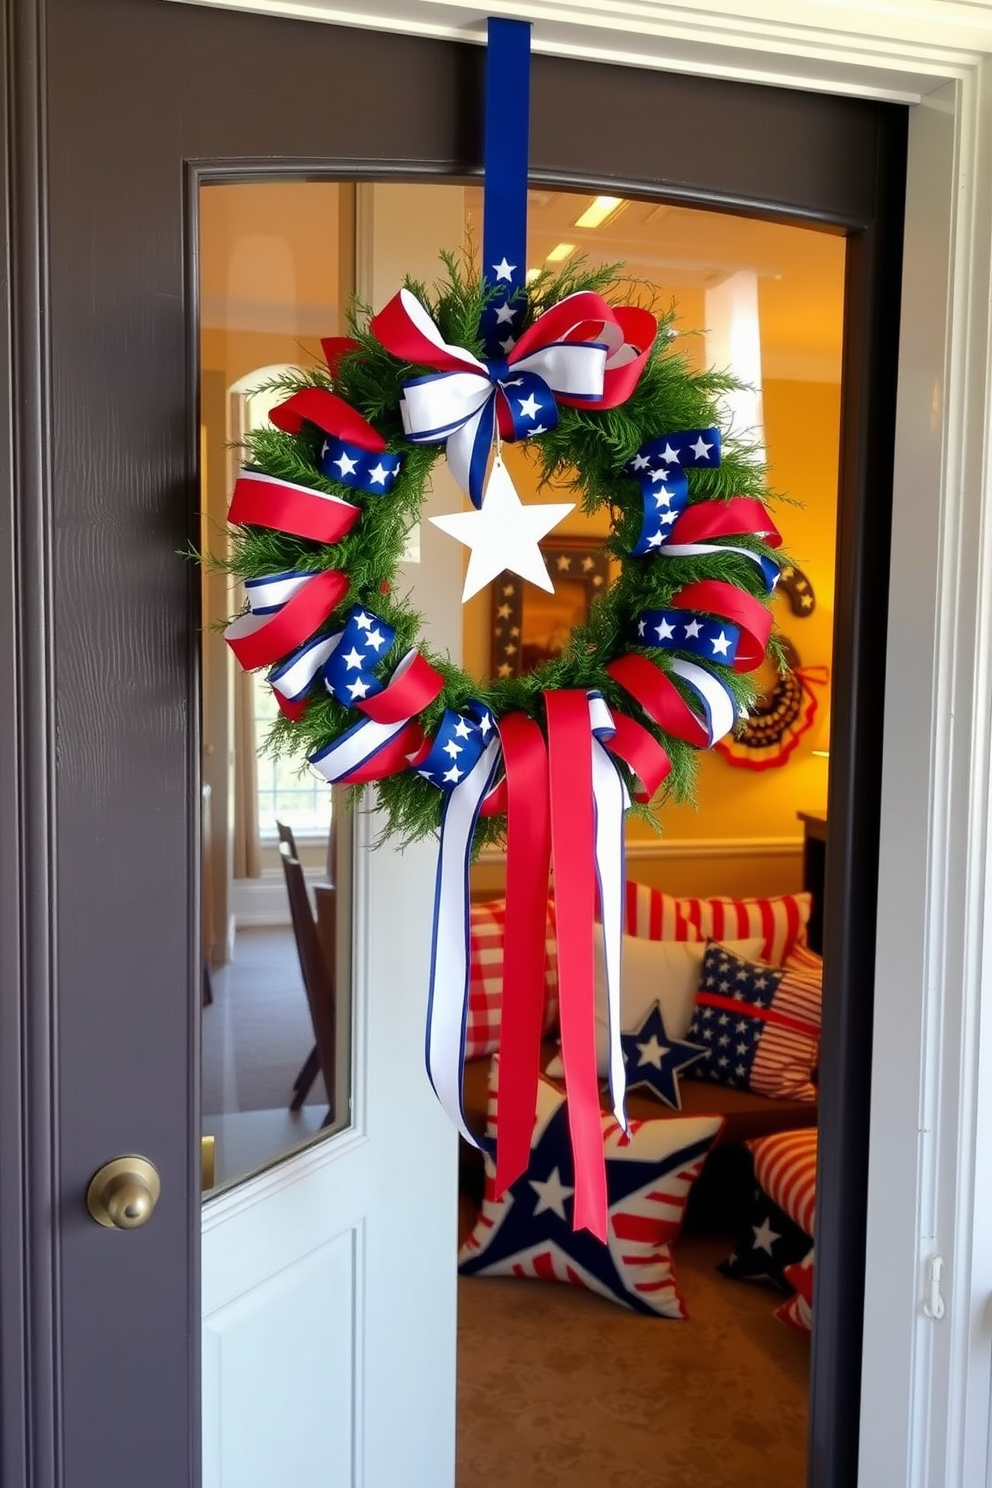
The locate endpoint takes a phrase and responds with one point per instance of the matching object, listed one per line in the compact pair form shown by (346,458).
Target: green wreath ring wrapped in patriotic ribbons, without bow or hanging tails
(328,496)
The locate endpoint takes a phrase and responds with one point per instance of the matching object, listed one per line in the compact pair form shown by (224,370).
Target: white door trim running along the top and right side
(927,1386)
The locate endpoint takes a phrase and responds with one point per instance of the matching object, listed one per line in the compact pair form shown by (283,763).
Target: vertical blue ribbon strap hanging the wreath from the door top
(505,191)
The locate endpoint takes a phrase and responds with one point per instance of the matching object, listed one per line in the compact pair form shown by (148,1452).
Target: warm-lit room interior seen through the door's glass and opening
(560,1382)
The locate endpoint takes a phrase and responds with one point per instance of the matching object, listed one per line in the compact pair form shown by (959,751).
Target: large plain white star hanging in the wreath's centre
(503,535)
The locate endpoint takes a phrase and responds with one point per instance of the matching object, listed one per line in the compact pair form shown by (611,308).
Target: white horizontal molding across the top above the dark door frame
(880,48)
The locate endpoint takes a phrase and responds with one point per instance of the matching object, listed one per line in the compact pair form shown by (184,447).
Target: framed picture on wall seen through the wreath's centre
(532,626)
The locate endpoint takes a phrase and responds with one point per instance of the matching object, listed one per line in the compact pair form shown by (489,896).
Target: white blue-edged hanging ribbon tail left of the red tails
(448,1001)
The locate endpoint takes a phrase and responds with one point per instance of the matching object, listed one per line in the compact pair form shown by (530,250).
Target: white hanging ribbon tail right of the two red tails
(611,803)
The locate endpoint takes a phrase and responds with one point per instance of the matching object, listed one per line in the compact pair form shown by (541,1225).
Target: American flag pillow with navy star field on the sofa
(761,1026)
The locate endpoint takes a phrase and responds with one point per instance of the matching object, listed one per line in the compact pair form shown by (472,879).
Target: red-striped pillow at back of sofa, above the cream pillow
(782,922)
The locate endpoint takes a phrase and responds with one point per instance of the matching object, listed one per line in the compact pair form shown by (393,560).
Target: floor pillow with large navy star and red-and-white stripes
(529,1233)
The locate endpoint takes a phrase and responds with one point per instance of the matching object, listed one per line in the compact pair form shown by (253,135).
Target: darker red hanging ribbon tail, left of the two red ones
(523,1011)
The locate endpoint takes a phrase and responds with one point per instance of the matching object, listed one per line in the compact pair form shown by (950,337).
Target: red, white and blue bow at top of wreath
(581,353)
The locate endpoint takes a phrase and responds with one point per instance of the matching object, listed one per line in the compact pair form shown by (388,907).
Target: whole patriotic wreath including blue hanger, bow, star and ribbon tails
(606,403)
